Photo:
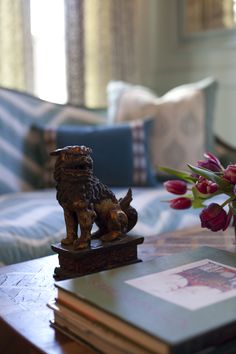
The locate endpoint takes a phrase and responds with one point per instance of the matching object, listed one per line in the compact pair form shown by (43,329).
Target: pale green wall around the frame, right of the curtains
(178,60)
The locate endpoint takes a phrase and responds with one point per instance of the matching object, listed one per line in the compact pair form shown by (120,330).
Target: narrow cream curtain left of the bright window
(15,46)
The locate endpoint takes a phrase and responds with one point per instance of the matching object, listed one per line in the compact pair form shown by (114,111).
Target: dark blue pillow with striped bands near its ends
(120,152)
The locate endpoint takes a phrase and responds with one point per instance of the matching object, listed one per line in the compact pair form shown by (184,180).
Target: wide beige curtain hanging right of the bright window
(103,44)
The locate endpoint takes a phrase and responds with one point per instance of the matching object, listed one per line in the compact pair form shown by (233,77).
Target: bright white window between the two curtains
(48,37)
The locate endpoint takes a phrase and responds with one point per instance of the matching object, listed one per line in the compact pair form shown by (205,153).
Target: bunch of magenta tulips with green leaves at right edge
(204,181)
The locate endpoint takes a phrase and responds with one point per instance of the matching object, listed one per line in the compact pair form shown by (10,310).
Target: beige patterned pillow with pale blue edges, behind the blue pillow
(182,128)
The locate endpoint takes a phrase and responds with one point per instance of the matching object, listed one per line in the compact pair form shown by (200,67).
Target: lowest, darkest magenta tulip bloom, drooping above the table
(213,217)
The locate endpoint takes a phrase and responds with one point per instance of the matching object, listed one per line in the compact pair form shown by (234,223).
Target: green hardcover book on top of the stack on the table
(174,304)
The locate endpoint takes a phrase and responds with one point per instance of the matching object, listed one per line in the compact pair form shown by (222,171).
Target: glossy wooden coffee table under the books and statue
(25,289)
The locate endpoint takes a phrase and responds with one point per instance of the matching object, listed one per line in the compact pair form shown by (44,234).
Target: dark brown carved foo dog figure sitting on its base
(85,200)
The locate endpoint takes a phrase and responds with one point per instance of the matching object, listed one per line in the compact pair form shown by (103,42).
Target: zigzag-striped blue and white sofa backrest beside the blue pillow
(19,169)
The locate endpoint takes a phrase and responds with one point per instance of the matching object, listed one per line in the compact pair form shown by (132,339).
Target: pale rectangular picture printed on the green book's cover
(193,286)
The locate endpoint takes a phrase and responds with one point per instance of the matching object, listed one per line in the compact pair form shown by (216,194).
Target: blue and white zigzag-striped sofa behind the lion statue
(30,216)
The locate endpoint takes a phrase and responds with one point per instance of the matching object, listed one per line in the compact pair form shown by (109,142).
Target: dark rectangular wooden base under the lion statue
(100,256)
